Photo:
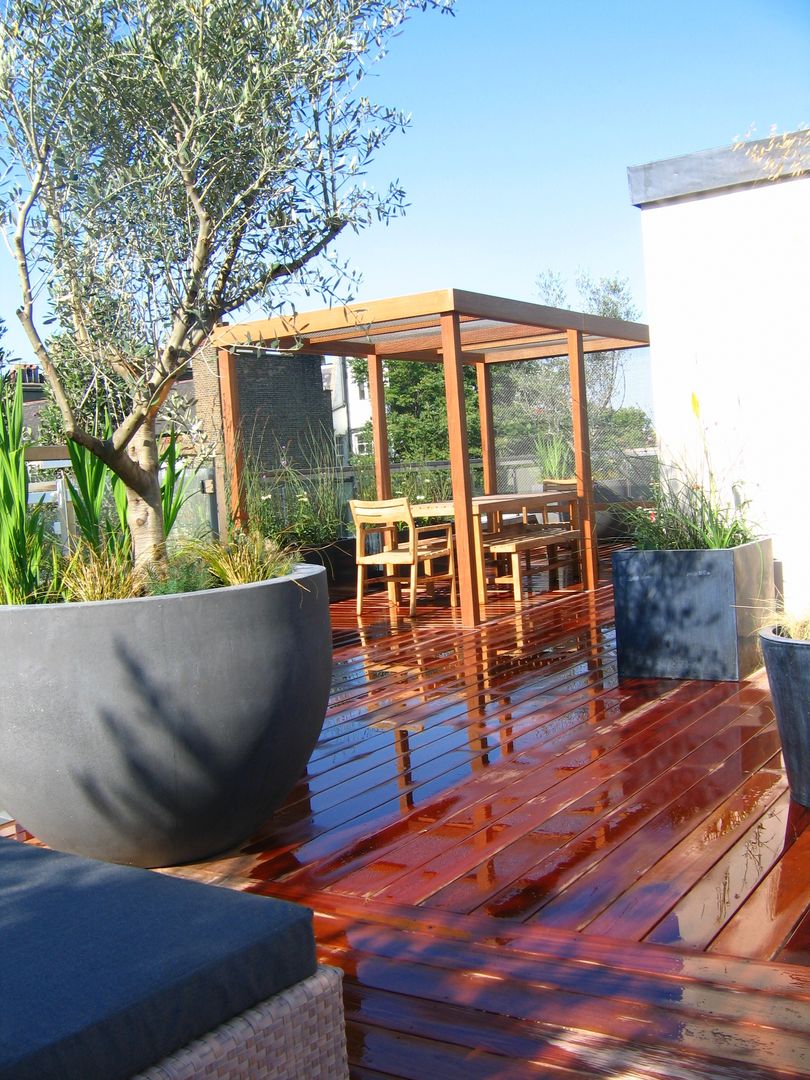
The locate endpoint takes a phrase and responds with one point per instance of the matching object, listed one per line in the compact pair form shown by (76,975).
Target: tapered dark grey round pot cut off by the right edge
(788,664)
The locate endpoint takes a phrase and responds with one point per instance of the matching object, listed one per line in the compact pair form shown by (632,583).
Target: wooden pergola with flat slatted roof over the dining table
(451,328)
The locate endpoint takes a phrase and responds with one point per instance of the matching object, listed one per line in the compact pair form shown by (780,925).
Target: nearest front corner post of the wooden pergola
(466,558)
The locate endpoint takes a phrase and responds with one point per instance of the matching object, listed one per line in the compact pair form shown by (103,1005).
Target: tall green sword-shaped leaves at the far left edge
(23,541)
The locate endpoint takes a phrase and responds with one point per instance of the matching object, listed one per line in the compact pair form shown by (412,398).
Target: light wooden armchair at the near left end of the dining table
(422,548)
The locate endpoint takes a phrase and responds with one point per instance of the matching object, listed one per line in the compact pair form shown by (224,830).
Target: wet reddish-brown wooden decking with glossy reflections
(526,869)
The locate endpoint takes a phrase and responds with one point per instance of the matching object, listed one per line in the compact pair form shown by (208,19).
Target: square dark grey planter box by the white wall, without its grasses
(692,614)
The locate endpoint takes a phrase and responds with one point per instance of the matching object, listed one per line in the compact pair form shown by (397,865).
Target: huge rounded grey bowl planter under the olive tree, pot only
(167,730)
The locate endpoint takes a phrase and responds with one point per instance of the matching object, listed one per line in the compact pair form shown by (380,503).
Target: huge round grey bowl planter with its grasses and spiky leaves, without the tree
(168,722)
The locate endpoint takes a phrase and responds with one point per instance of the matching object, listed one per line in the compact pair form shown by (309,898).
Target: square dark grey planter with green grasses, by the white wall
(690,596)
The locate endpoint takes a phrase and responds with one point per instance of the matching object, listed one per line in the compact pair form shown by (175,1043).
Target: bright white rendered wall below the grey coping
(728,298)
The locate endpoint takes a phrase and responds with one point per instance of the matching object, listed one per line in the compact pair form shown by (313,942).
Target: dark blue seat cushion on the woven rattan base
(105,970)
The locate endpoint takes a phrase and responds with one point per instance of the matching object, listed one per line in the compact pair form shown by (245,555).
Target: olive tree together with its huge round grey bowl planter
(168,165)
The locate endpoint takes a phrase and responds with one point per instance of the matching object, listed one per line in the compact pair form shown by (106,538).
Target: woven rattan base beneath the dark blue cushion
(298,1035)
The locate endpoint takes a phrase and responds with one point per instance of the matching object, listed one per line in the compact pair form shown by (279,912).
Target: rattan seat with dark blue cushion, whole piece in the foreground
(115,973)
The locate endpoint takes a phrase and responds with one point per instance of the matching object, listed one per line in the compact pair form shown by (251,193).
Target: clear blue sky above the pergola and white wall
(526,115)
